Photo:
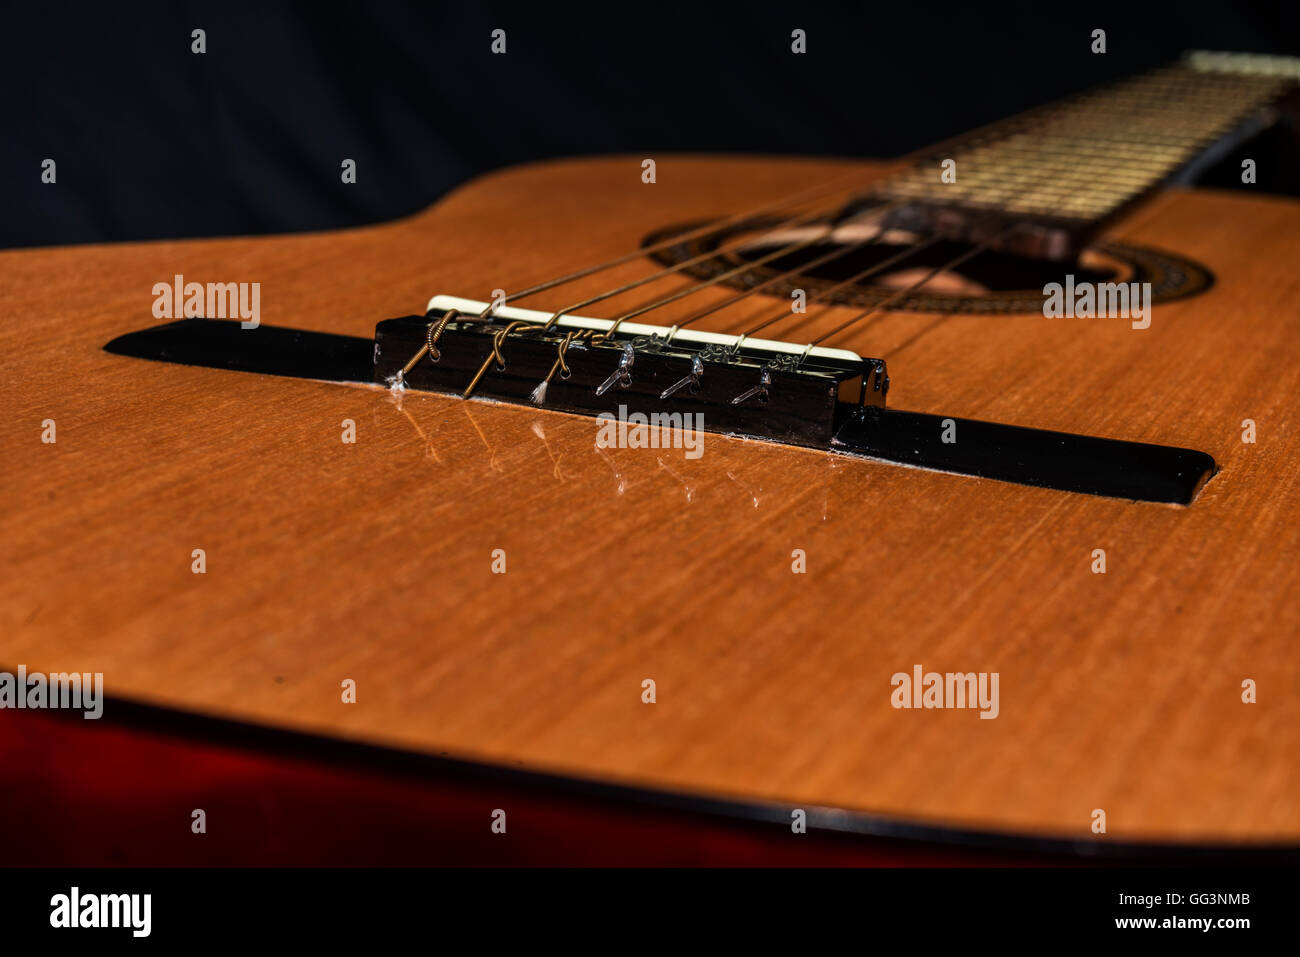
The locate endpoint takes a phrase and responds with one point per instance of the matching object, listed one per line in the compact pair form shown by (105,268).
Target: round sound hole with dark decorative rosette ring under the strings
(994,282)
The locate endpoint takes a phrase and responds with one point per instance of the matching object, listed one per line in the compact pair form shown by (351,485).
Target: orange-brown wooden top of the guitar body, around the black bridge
(374,561)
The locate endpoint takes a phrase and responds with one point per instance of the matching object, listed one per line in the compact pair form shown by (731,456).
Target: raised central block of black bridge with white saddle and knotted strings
(733,384)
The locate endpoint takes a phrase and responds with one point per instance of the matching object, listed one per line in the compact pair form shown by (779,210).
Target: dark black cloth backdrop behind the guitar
(153,141)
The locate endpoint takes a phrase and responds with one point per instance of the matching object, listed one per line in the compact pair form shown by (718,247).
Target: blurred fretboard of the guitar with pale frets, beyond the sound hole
(1060,172)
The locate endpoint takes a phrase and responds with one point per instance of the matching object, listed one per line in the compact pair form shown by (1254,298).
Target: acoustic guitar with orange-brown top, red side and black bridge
(948,501)
